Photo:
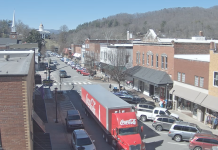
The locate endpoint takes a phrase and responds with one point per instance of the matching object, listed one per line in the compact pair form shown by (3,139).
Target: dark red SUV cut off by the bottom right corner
(202,141)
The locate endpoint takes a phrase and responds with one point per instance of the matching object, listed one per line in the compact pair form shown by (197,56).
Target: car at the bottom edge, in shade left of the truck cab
(81,140)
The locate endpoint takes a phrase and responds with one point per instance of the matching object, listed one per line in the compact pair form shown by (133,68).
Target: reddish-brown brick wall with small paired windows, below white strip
(191,69)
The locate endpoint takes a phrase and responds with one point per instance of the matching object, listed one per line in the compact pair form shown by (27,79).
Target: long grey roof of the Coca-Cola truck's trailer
(104,97)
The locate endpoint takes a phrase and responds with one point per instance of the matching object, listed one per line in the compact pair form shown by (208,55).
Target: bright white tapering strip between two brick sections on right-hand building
(204,57)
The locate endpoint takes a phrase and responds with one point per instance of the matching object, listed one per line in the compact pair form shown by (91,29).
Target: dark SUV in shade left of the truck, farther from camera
(73,120)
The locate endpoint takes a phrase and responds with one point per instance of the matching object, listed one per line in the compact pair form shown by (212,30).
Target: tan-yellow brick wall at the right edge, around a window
(213,90)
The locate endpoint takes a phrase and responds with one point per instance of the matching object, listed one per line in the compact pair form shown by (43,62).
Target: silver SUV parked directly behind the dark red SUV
(184,131)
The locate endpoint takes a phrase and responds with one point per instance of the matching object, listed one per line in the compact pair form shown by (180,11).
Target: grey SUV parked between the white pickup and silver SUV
(164,122)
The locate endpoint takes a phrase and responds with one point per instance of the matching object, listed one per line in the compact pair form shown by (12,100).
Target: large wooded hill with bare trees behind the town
(172,23)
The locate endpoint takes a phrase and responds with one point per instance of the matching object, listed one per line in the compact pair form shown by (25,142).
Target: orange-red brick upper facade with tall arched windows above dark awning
(155,49)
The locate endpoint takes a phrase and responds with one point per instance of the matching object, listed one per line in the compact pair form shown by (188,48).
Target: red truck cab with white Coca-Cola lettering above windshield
(126,132)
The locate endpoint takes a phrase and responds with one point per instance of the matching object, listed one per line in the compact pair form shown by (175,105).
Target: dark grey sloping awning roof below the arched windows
(152,76)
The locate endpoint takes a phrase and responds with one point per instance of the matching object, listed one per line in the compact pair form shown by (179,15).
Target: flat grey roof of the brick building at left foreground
(18,63)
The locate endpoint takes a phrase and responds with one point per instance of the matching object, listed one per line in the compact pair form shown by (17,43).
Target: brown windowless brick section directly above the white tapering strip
(191,48)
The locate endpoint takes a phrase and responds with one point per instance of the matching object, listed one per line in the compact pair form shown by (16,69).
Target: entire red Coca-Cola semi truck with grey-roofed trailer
(119,124)
